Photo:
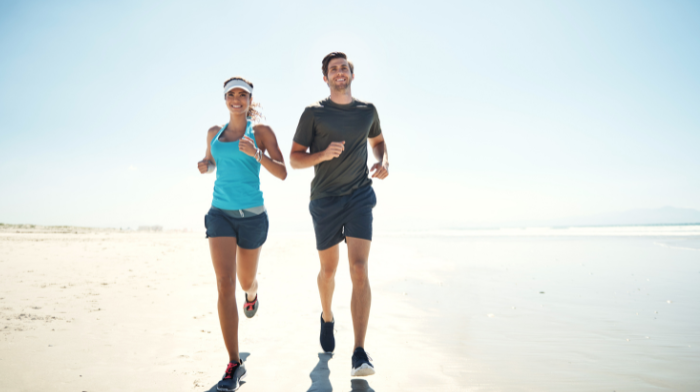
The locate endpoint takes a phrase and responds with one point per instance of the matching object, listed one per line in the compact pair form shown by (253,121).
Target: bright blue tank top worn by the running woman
(237,185)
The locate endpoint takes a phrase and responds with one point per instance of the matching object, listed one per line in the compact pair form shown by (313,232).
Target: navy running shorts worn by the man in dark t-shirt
(337,217)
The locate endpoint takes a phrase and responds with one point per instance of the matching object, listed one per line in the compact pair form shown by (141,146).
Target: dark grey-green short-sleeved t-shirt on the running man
(325,122)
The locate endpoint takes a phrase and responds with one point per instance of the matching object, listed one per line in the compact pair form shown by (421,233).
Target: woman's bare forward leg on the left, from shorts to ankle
(223,256)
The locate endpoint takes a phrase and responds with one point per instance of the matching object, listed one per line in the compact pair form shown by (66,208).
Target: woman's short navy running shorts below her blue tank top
(250,232)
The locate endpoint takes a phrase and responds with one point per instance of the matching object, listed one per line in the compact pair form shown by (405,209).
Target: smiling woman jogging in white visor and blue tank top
(237,221)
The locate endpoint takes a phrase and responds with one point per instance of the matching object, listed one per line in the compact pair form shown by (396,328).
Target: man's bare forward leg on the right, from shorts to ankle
(358,255)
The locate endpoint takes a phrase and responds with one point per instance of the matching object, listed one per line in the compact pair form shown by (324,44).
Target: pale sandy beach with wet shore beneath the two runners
(614,309)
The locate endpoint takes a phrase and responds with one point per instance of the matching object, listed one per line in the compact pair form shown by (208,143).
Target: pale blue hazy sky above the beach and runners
(491,111)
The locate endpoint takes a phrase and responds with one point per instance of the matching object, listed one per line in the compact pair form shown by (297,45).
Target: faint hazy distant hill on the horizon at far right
(658,216)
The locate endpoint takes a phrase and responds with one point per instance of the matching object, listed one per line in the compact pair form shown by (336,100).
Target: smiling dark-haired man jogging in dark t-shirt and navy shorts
(332,137)
